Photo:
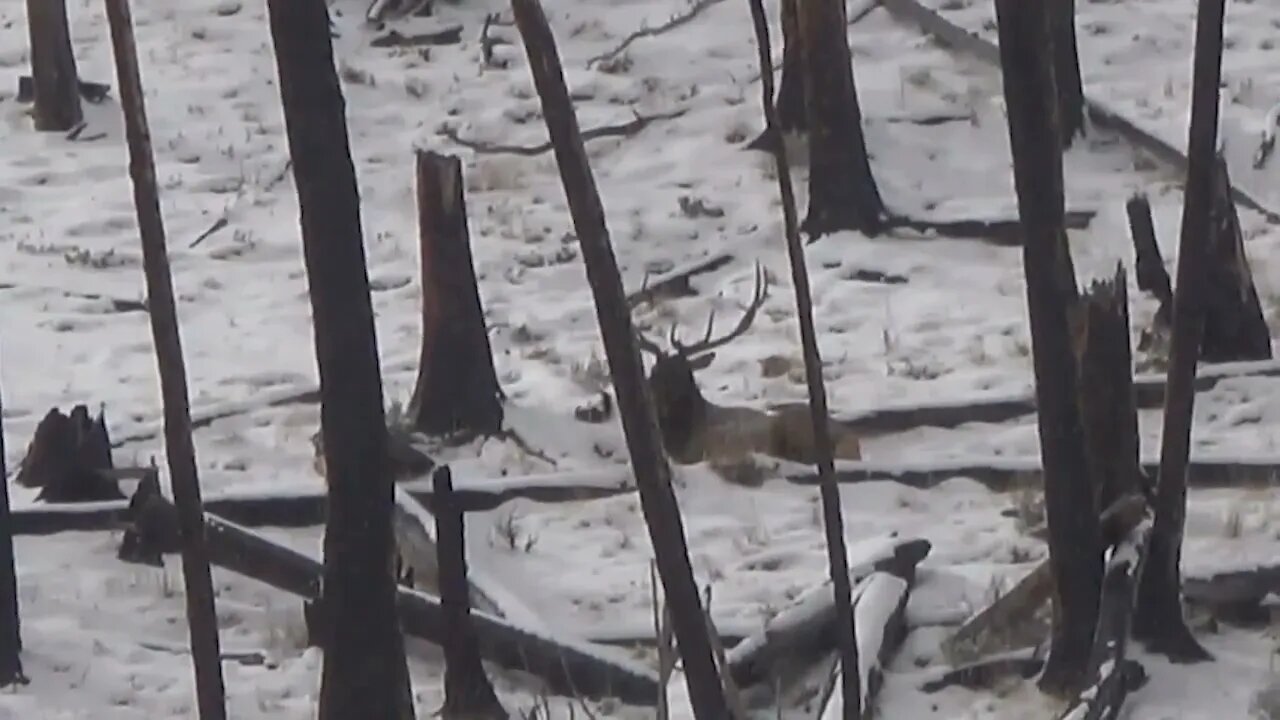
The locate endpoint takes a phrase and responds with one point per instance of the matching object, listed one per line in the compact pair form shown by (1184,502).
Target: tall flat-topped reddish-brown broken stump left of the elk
(458,388)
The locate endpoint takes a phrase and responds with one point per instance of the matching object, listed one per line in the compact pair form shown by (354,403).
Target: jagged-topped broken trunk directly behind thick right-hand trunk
(1109,411)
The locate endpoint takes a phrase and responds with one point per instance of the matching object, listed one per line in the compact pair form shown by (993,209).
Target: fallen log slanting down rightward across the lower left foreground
(569,668)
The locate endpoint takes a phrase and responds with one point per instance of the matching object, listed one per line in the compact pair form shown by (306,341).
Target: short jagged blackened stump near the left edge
(70,459)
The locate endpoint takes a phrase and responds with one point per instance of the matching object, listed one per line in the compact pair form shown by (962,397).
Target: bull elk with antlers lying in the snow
(696,430)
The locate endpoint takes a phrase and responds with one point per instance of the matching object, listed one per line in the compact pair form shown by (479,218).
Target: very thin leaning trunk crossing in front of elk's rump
(834,522)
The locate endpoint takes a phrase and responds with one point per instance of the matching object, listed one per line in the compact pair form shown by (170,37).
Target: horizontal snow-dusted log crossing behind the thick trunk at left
(307,508)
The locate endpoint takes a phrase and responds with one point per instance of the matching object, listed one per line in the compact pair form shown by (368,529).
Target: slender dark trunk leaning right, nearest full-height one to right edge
(1160,623)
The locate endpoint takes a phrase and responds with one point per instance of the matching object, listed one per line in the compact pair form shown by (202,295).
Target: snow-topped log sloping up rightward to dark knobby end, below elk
(804,631)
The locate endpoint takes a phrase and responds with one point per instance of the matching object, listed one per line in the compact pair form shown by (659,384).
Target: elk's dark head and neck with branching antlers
(682,408)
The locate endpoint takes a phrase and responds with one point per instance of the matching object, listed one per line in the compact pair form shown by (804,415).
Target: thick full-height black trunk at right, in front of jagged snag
(1076,552)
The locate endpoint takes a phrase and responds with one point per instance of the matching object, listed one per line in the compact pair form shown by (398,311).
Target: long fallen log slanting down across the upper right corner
(1101,115)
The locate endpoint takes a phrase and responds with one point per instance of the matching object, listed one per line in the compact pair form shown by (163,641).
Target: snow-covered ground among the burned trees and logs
(100,636)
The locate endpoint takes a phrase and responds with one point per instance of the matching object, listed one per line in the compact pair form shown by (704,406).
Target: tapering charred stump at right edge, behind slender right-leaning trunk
(1235,325)
